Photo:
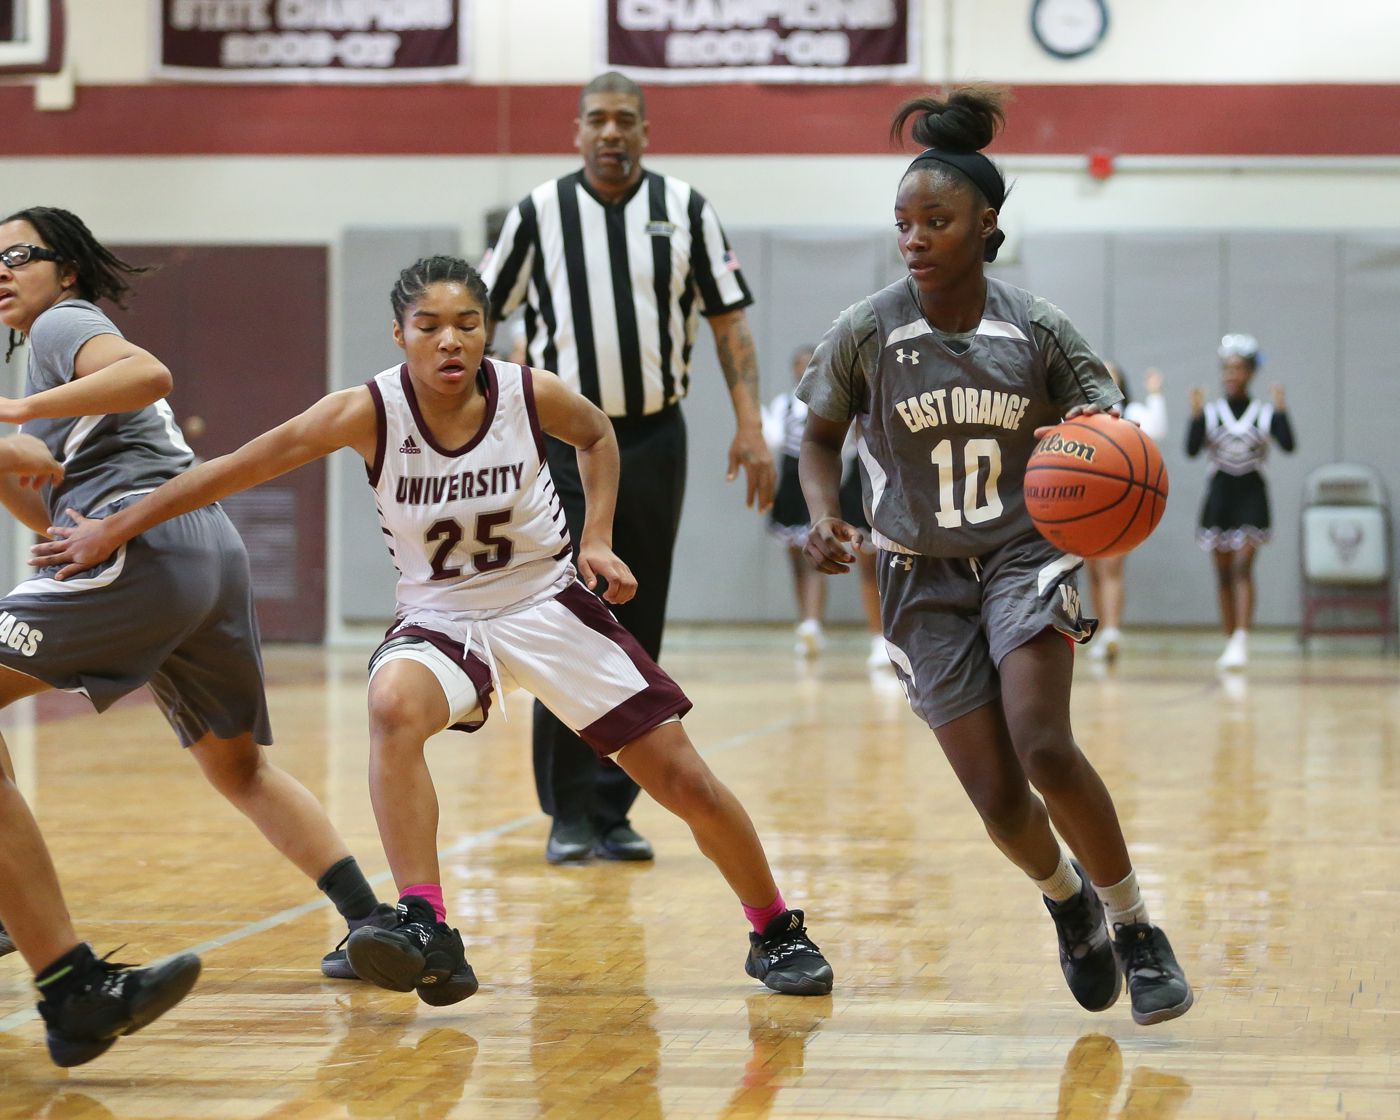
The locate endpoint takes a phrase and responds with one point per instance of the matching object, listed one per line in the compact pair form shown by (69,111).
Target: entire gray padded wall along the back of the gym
(1324,306)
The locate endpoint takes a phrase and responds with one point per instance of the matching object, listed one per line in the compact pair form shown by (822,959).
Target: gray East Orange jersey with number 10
(948,436)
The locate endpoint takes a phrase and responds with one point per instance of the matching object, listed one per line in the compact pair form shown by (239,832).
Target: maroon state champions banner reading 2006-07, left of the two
(344,41)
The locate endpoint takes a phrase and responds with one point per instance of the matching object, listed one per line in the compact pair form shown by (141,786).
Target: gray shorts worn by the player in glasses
(171,610)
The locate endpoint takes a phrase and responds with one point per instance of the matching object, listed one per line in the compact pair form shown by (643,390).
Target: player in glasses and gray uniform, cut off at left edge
(174,612)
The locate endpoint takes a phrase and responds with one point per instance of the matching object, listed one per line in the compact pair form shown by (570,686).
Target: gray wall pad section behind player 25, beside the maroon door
(367,265)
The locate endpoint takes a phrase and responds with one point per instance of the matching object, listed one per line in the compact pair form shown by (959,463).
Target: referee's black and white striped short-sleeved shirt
(612,292)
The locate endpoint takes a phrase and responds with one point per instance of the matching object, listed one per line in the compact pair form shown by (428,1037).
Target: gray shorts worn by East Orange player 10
(948,624)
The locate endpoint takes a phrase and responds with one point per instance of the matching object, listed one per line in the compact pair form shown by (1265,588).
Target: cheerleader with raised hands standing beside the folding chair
(1235,433)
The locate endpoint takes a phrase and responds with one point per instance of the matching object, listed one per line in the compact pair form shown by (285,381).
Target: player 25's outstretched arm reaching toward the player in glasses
(344,419)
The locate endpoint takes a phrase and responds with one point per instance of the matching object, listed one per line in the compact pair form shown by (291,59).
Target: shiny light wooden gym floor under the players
(1263,814)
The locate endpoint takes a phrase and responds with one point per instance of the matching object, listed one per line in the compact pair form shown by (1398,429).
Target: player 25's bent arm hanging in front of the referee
(584,426)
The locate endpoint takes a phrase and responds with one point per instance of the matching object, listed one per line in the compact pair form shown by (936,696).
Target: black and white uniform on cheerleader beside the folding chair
(1235,435)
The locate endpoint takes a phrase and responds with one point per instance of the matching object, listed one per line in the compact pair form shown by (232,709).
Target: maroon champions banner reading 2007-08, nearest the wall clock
(761,40)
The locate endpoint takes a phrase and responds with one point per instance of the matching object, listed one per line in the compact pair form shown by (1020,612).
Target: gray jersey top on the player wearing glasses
(104,457)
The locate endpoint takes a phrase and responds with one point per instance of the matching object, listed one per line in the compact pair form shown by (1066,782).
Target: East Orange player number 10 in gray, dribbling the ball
(953,376)
